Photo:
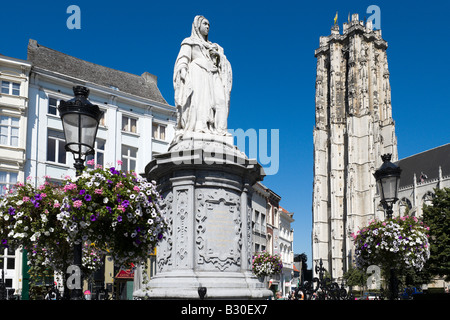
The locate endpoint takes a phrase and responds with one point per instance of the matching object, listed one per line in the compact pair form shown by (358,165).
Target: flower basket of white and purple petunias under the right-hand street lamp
(399,242)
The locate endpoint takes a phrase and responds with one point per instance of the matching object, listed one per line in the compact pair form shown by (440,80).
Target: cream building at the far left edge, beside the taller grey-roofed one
(14,80)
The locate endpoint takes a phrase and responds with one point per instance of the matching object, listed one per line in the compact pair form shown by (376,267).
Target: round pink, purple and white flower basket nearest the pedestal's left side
(117,211)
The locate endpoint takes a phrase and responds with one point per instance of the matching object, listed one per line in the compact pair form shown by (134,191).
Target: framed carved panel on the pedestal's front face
(218,229)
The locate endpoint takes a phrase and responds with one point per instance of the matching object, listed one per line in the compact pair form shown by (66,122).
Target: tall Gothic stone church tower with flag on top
(354,127)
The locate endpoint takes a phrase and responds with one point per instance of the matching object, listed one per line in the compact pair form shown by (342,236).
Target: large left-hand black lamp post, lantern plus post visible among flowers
(80,119)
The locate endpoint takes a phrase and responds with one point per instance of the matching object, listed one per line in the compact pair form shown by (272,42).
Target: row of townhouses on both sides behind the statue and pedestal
(137,124)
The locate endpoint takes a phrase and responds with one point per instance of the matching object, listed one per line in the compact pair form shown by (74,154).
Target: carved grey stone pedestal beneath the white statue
(206,183)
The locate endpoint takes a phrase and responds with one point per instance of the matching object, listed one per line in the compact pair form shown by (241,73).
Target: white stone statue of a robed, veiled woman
(202,81)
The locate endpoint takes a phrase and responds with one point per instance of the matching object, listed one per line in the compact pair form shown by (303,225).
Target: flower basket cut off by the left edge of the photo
(28,220)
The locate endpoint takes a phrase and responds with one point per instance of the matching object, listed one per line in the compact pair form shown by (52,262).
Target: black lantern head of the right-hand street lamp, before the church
(388,178)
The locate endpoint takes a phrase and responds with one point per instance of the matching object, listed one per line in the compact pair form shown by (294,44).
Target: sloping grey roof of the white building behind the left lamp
(144,86)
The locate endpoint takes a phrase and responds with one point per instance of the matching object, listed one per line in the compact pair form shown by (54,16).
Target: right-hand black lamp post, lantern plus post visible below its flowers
(388,178)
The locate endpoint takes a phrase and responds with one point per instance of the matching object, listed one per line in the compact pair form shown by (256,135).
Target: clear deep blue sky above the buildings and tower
(270,45)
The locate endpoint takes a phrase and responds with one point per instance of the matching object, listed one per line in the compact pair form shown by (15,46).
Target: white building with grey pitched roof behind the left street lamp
(137,122)
